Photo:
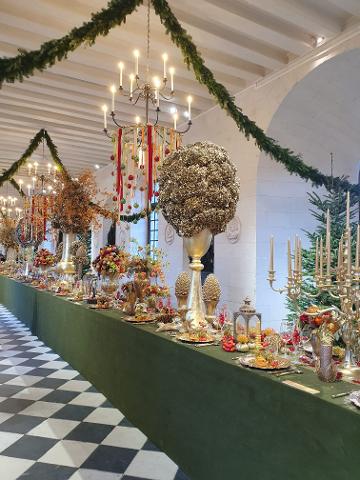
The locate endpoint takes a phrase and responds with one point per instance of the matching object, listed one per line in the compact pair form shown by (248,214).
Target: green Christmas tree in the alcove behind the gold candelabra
(334,201)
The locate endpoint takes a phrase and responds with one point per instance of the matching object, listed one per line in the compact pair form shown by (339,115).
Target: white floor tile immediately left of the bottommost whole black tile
(68,453)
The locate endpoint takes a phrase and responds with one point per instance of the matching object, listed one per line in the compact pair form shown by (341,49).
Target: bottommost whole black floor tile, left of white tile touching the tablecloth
(110,459)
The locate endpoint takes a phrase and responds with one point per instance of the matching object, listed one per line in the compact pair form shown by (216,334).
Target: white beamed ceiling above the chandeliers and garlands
(241,40)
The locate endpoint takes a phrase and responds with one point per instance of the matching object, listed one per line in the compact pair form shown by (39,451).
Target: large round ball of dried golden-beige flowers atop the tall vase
(198,189)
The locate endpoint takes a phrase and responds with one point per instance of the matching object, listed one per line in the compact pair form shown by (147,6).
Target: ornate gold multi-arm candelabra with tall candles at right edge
(341,283)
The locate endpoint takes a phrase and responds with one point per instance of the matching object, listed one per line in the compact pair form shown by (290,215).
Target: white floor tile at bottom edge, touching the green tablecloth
(152,465)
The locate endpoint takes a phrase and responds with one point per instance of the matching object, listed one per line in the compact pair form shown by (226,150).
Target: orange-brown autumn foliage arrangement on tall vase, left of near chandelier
(73,210)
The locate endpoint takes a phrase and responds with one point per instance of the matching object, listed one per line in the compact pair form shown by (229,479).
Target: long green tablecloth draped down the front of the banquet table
(215,419)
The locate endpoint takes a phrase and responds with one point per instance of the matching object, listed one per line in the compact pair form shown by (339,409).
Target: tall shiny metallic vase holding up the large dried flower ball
(196,247)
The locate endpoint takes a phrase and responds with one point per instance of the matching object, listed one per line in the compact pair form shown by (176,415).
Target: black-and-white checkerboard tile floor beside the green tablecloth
(54,425)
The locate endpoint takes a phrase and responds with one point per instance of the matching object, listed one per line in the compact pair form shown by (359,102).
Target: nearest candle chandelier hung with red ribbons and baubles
(139,147)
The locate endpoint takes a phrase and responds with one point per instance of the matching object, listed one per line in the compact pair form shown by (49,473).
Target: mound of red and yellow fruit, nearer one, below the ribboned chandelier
(112,260)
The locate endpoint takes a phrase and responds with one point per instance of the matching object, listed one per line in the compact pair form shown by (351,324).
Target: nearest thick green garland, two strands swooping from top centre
(26,63)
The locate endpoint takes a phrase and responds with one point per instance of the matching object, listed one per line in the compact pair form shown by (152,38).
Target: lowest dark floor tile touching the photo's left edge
(31,448)
